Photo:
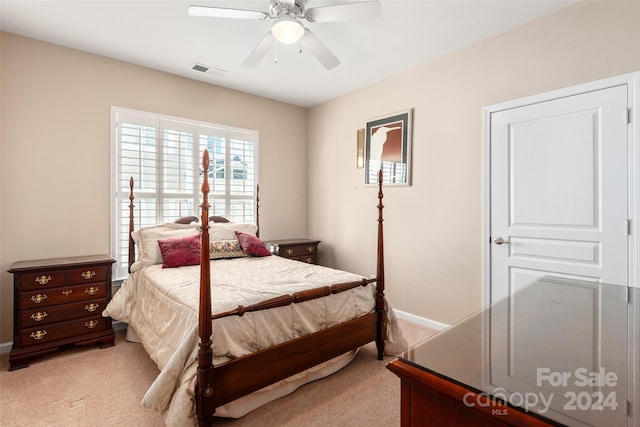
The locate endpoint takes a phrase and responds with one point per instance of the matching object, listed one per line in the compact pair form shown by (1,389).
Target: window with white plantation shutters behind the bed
(164,156)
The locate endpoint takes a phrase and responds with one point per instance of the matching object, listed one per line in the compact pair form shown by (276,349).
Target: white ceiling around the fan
(161,35)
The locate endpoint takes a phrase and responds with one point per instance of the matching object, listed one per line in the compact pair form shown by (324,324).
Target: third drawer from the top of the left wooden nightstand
(60,313)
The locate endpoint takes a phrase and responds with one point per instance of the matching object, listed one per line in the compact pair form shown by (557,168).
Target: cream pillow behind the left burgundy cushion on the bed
(146,239)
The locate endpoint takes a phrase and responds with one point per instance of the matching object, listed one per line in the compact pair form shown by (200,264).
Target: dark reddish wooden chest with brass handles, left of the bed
(59,302)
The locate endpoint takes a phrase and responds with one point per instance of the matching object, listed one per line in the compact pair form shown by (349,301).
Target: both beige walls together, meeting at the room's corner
(54,151)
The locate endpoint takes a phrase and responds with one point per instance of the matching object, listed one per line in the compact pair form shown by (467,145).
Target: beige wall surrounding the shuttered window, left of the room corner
(55,149)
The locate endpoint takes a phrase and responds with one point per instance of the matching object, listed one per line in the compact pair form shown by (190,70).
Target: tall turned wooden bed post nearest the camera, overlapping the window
(205,380)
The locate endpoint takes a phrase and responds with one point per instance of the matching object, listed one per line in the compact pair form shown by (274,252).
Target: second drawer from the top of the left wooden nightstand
(46,297)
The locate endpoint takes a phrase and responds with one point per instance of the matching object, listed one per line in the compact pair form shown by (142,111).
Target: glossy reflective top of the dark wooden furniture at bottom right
(565,349)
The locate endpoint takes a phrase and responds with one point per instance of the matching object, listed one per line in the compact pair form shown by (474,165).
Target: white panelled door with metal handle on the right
(558,191)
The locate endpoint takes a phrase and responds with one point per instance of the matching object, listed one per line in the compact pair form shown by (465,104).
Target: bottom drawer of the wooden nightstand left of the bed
(47,333)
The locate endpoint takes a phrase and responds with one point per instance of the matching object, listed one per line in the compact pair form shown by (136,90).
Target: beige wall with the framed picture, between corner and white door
(433,229)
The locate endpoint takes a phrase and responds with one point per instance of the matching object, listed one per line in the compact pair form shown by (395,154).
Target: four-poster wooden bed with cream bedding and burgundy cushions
(275,323)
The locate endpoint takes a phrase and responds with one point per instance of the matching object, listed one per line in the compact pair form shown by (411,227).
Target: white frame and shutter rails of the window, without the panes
(221,196)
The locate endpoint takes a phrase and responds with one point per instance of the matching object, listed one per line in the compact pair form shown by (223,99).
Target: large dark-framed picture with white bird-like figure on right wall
(388,148)
